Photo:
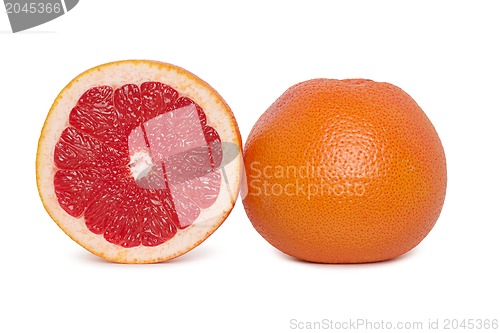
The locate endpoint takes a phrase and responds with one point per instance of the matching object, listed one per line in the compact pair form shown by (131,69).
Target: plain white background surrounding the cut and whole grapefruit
(445,54)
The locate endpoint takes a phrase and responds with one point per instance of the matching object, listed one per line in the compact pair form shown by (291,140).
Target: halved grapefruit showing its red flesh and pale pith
(139,161)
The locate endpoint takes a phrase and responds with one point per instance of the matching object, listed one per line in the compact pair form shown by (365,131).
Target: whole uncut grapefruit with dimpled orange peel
(344,171)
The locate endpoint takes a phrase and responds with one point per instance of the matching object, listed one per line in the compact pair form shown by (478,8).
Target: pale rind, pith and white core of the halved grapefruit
(115,75)
